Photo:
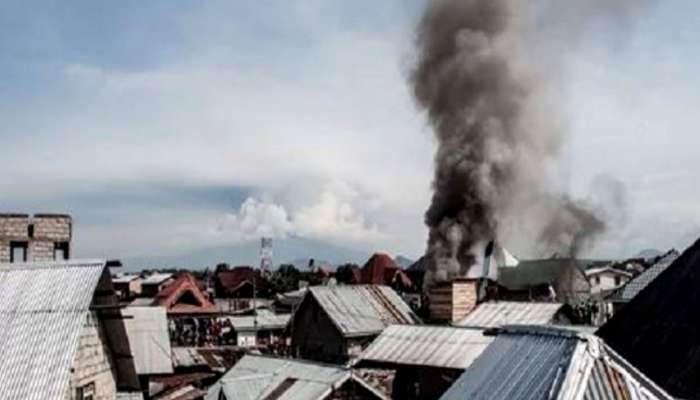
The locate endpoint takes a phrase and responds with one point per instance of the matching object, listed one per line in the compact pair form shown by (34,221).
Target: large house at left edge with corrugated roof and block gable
(63,336)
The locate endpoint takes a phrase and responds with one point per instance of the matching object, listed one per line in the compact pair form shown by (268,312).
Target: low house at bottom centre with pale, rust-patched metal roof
(264,377)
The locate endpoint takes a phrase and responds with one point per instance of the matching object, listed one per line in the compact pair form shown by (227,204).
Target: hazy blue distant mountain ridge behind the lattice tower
(295,251)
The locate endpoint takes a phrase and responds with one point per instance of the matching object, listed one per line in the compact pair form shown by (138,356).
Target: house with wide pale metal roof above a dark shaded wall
(426,359)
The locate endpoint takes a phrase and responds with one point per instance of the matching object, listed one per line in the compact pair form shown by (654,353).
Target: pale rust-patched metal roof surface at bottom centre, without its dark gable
(254,377)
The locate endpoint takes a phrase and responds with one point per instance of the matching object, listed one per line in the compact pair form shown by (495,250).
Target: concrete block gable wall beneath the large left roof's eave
(93,363)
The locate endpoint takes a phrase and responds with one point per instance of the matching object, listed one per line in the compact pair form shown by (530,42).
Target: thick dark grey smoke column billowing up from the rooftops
(486,73)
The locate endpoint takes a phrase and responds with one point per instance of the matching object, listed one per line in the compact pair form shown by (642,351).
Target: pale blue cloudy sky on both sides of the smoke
(167,126)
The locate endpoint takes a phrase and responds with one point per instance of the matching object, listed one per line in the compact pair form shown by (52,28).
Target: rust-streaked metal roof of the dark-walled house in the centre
(363,309)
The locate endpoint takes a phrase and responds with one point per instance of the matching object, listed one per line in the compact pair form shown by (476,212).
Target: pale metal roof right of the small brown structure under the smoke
(500,313)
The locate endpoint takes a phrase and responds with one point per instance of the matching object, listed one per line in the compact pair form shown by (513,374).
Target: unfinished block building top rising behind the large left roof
(43,237)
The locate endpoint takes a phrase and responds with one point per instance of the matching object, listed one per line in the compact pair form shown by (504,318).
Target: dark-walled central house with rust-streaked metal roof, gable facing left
(334,323)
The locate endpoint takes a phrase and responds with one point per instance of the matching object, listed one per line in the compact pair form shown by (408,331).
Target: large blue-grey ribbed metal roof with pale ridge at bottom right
(531,363)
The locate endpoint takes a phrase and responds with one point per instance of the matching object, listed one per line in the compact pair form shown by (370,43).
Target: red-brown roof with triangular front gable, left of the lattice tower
(185,285)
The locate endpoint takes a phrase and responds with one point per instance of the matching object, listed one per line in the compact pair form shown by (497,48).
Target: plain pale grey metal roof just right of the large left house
(149,339)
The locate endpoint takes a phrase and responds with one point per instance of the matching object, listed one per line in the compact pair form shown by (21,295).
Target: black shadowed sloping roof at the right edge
(659,329)
